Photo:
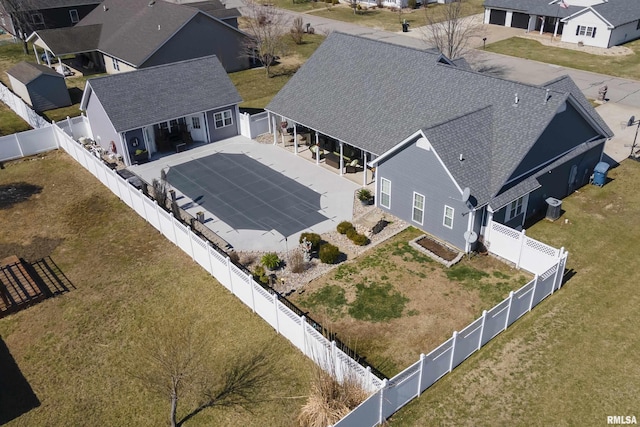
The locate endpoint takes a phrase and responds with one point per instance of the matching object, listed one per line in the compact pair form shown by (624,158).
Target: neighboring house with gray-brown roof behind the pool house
(124,35)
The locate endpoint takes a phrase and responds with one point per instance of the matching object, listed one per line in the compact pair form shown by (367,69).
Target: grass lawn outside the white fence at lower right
(574,359)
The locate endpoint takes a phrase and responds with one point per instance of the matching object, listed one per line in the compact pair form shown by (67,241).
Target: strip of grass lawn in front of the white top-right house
(621,66)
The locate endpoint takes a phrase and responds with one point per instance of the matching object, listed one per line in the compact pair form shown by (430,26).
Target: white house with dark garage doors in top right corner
(601,23)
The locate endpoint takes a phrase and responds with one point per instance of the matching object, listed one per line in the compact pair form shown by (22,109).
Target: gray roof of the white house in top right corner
(617,12)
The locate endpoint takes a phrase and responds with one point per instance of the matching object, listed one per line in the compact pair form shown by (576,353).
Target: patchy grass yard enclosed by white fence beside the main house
(393,302)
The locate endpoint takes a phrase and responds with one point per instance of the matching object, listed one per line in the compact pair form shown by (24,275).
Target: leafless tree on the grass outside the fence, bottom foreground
(172,364)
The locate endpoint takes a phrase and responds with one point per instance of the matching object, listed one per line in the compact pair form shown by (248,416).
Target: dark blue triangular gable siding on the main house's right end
(567,130)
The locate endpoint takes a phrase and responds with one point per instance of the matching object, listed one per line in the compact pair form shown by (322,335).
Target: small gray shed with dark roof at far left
(39,86)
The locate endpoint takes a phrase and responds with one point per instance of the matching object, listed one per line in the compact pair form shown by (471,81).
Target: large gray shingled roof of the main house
(373,95)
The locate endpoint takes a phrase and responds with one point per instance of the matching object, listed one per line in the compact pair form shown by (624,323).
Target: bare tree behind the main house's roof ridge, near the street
(448,30)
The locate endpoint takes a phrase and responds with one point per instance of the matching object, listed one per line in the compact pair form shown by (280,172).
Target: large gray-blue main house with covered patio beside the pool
(433,128)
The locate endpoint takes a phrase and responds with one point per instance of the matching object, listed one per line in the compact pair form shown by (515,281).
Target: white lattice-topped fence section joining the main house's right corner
(523,251)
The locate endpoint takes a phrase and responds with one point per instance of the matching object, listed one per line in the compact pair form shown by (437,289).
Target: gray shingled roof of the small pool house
(157,94)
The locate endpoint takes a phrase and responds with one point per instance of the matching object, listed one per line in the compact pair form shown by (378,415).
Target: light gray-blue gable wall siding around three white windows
(414,169)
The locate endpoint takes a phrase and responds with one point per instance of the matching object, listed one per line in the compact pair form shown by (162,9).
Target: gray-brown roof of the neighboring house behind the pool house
(130,30)
